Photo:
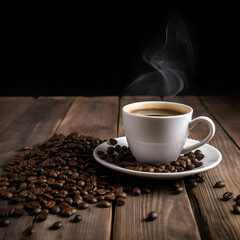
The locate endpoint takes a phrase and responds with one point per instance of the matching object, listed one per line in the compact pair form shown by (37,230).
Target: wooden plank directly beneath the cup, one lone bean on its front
(176,219)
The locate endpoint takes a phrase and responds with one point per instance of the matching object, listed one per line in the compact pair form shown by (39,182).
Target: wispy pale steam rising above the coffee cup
(167,65)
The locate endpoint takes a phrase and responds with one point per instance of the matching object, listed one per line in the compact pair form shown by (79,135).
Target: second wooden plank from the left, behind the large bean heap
(37,123)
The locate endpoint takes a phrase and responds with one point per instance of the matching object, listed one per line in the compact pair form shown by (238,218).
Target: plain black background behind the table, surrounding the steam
(97,50)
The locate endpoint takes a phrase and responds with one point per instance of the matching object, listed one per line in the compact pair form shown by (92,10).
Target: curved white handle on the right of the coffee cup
(211,125)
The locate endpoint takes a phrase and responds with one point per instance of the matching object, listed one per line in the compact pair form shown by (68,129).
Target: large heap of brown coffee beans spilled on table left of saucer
(60,176)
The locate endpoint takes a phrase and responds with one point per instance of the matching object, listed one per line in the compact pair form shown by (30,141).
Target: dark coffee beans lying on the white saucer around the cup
(122,156)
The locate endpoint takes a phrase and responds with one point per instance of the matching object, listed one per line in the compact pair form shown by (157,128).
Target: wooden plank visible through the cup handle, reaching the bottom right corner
(213,213)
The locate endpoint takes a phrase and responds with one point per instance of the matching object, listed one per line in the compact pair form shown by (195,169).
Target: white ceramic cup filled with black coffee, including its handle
(161,138)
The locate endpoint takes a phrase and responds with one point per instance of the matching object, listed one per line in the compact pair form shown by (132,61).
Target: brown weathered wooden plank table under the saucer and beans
(196,213)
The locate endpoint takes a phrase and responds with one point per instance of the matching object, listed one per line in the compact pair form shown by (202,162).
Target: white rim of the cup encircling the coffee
(158,117)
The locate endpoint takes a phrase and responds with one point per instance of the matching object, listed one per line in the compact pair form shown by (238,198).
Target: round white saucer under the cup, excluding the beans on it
(212,158)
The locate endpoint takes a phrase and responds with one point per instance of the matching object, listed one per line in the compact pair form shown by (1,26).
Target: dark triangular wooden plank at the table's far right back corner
(226,110)
